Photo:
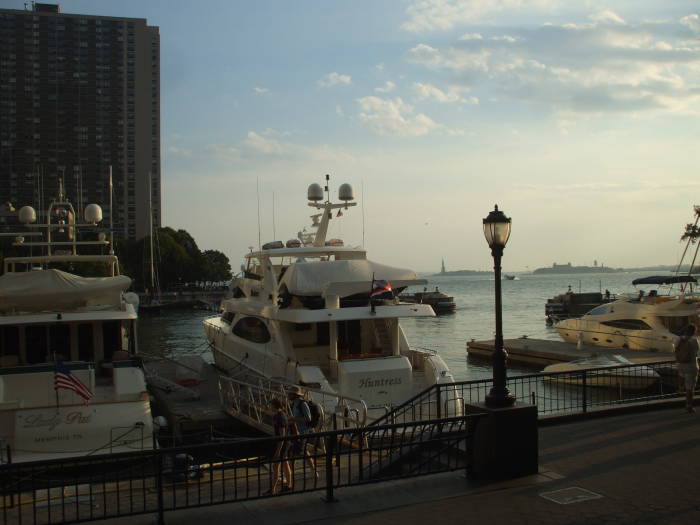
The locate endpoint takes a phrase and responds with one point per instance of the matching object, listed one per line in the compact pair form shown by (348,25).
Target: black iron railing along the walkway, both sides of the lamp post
(414,439)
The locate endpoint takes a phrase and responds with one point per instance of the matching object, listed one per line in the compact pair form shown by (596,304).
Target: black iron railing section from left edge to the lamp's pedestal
(158,481)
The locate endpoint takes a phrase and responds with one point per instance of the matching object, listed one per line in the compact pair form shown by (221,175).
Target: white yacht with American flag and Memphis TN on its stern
(77,333)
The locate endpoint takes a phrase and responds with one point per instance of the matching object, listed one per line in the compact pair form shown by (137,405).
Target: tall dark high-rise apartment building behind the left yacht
(80,96)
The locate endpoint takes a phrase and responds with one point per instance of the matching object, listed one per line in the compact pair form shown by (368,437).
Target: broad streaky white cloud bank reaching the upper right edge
(602,65)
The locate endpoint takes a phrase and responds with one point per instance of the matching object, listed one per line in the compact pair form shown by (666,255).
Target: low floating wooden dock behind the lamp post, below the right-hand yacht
(542,352)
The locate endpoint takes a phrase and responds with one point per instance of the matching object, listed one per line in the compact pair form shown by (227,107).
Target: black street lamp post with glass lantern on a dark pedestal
(497,231)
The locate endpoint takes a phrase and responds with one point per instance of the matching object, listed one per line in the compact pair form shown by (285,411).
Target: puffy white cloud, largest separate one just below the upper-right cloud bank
(395,117)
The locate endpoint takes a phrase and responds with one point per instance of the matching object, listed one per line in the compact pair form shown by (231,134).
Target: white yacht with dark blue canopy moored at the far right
(644,322)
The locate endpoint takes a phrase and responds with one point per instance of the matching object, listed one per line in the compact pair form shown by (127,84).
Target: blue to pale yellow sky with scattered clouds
(579,119)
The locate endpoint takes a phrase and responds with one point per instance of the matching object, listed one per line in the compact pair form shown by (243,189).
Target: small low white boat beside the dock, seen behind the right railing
(599,372)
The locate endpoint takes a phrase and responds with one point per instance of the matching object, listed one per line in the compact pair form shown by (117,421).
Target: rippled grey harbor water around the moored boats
(180,332)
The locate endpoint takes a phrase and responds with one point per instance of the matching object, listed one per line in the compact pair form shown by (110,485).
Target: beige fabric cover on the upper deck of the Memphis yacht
(54,290)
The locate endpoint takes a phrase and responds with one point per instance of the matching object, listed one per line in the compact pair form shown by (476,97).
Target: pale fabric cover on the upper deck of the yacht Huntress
(344,277)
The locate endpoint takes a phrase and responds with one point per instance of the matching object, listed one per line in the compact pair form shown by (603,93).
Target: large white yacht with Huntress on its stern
(302,312)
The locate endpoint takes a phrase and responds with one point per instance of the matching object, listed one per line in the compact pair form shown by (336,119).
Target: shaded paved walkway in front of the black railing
(636,468)
